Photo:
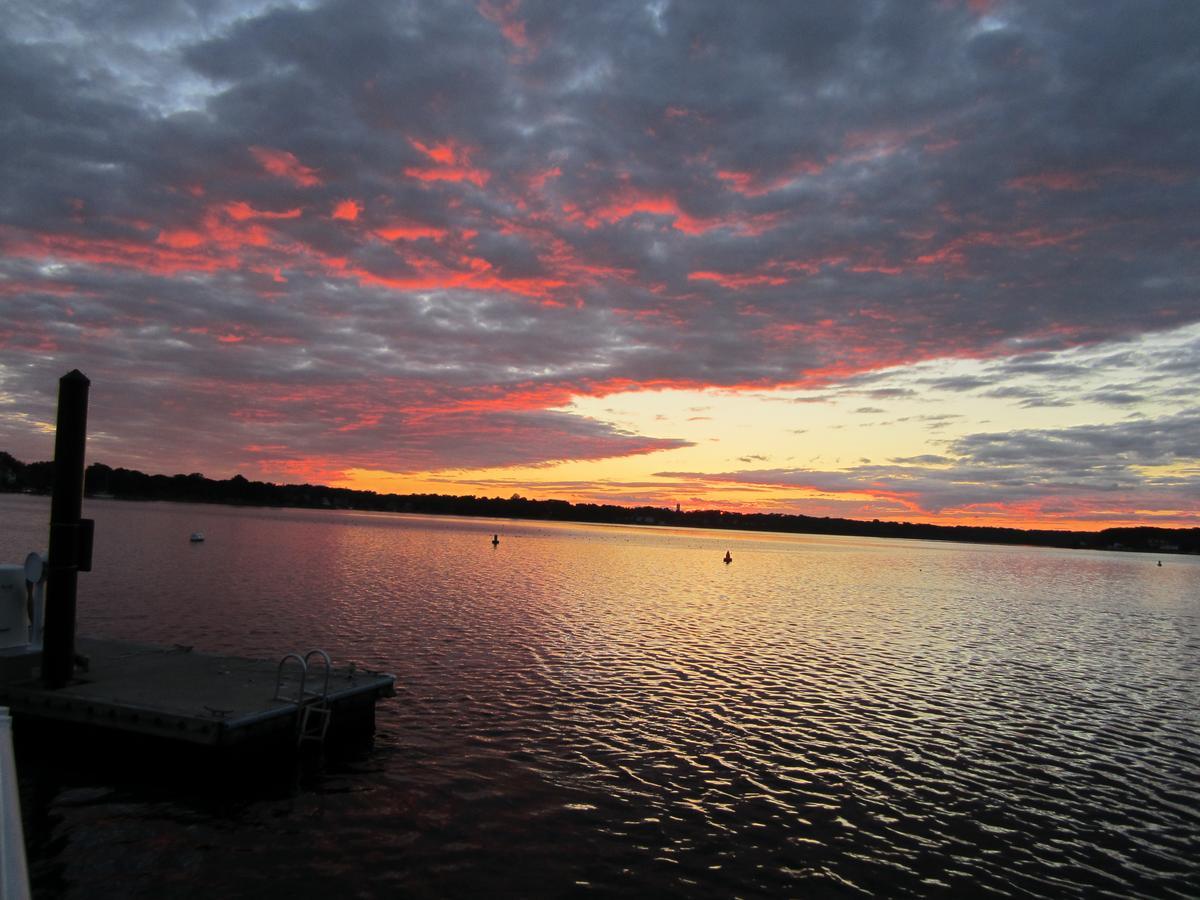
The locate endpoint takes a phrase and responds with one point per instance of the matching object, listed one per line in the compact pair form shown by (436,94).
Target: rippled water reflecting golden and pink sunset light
(598,711)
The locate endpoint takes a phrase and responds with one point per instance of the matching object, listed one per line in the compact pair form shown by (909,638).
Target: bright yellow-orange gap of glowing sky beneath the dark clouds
(859,451)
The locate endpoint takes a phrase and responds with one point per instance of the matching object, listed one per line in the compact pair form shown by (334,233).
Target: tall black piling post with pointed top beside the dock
(70,537)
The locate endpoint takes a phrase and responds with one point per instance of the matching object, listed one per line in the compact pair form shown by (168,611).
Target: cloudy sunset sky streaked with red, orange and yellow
(933,262)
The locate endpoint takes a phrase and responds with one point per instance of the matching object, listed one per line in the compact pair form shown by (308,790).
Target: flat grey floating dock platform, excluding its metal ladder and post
(178,694)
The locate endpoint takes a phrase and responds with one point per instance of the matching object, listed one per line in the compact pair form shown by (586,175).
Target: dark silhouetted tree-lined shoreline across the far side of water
(103,482)
